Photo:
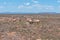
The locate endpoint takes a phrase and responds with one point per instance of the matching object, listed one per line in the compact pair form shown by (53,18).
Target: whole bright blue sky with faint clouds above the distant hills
(30,6)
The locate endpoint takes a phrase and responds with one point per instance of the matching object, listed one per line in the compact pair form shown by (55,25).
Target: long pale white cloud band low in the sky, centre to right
(36,6)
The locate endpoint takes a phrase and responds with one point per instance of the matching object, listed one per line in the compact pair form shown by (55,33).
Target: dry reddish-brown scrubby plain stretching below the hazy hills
(30,27)
